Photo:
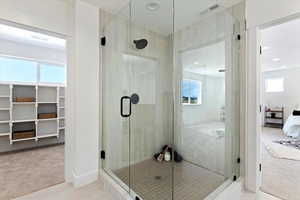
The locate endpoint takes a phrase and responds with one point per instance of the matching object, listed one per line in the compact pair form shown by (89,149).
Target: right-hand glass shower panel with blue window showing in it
(207,115)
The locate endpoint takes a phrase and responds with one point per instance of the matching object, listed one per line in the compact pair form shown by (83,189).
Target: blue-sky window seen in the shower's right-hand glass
(191,92)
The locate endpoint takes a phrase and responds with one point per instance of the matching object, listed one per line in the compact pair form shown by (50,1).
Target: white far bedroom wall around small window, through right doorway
(290,98)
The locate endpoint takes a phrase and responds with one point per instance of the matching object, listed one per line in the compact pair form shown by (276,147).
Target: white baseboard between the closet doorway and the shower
(85,179)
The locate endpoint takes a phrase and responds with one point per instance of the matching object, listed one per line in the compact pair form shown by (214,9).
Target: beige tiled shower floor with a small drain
(153,180)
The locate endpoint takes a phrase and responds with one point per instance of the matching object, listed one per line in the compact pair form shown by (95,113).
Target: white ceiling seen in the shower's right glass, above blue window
(206,60)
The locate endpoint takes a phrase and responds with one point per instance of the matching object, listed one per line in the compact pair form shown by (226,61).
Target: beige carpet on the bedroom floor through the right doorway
(280,177)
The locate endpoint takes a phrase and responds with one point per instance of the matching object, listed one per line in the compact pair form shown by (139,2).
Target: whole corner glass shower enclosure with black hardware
(171,97)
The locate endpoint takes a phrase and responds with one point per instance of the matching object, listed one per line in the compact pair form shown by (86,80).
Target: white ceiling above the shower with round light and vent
(187,12)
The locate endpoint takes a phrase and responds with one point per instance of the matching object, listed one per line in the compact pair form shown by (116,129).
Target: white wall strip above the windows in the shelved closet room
(32,52)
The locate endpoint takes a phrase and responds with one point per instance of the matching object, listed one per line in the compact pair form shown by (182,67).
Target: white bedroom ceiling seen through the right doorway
(281,42)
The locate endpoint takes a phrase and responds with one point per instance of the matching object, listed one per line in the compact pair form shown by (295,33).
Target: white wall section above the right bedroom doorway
(264,11)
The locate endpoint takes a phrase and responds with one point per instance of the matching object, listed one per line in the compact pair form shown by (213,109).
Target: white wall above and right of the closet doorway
(79,23)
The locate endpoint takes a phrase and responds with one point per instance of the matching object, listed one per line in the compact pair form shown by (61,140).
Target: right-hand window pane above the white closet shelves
(52,73)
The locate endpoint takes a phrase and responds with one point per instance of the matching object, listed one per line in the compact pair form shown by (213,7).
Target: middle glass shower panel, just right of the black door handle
(151,79)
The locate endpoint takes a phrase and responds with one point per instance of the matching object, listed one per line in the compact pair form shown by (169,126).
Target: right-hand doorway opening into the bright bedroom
(280,132)
